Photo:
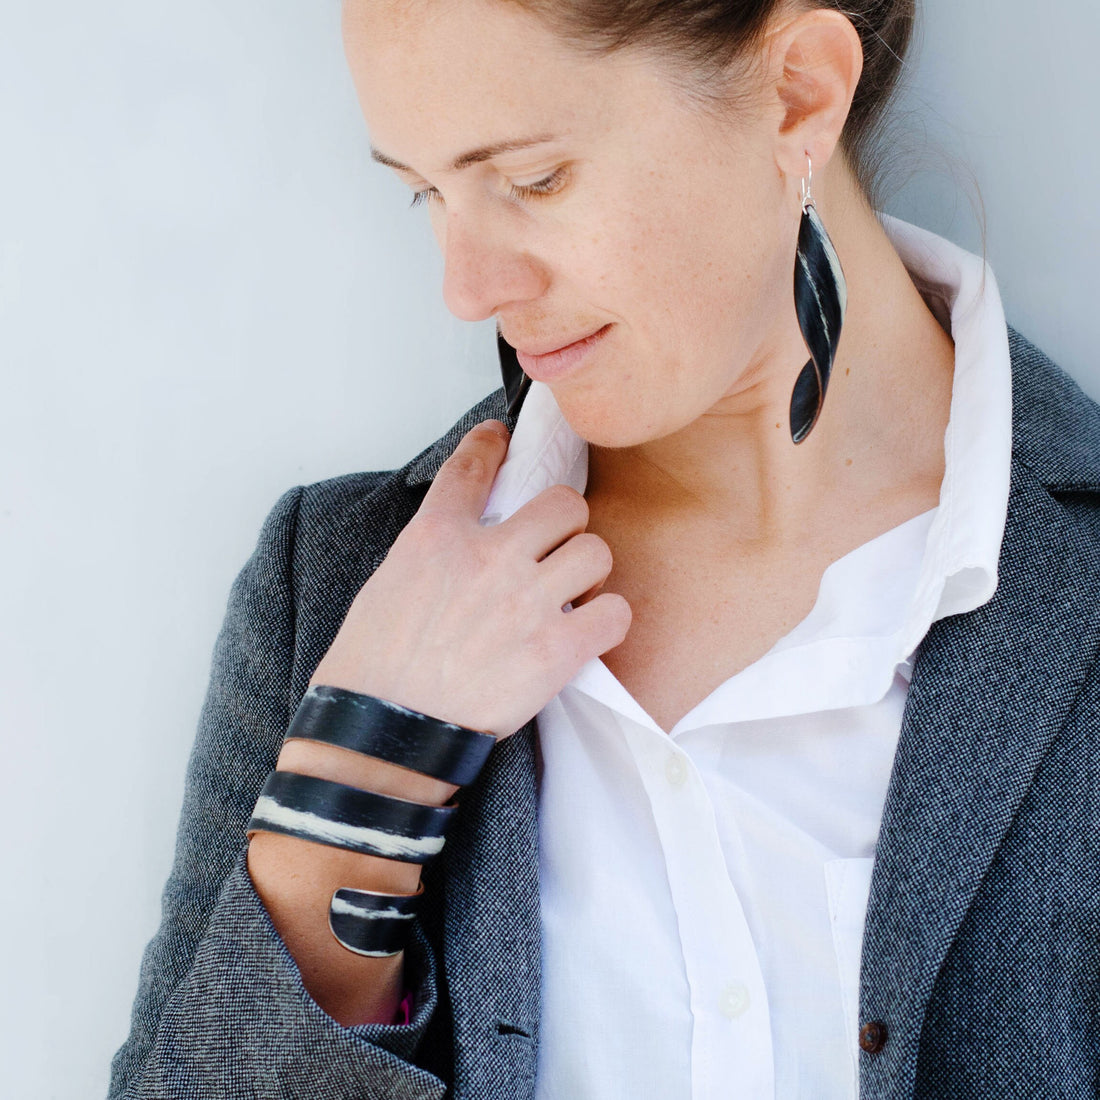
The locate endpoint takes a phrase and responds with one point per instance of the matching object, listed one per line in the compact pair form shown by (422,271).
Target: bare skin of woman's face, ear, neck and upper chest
(677,228)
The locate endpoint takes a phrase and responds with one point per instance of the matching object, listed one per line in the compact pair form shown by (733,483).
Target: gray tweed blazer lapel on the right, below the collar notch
(989,694)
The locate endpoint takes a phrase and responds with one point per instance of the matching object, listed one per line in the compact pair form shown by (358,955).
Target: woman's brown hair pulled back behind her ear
(709,36)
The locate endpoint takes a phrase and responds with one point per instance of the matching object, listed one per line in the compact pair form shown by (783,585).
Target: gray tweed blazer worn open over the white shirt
(982,952)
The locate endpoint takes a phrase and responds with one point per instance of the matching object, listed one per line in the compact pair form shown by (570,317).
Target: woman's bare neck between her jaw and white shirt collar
(877,447)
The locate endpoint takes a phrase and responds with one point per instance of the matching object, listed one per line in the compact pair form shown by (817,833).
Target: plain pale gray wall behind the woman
(207,295)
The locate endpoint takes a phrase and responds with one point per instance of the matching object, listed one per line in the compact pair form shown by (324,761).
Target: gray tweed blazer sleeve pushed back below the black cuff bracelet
(222,1010)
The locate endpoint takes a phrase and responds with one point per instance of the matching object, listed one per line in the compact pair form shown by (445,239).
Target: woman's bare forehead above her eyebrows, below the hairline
(436,78)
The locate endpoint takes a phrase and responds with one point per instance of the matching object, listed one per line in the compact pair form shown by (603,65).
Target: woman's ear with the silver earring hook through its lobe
(818,60)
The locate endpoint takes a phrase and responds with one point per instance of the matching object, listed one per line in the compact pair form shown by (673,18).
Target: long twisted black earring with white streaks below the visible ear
(821,298)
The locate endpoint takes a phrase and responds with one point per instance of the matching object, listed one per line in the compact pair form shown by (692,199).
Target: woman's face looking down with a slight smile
(623,210)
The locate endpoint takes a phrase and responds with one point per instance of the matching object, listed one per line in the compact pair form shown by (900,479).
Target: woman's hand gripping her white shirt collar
(466,623)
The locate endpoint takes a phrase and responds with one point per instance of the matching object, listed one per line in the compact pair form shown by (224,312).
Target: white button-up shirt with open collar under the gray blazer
(703,893)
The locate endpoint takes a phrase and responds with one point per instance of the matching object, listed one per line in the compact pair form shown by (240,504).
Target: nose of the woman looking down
(486,268)
